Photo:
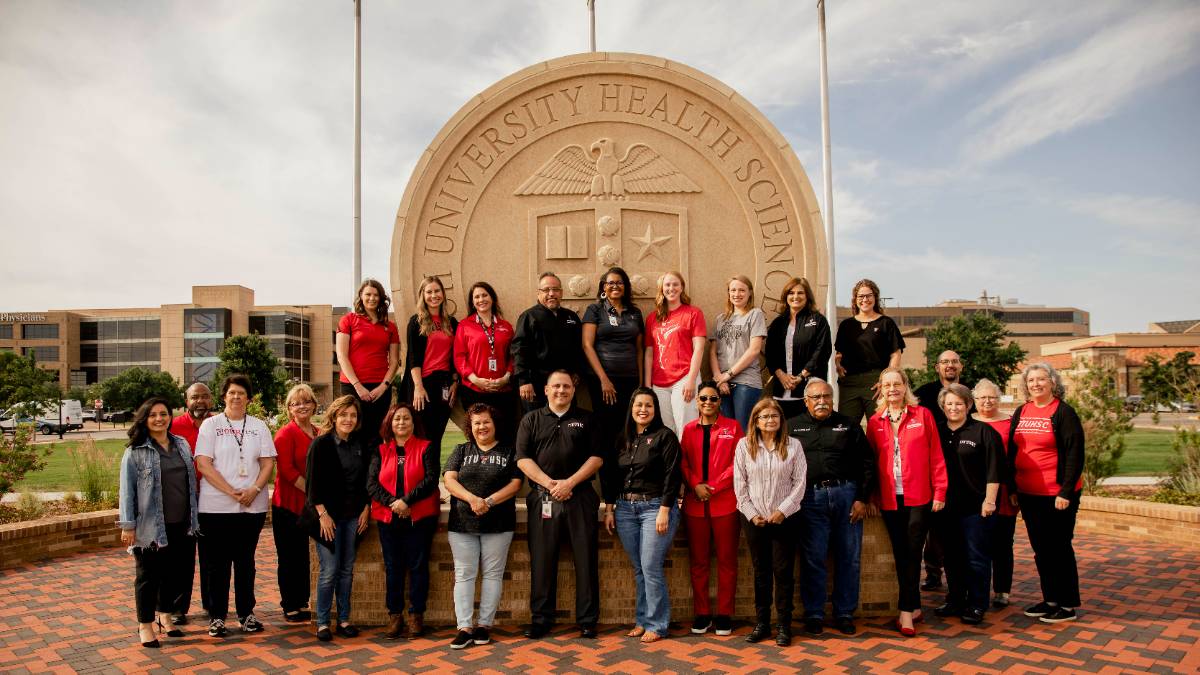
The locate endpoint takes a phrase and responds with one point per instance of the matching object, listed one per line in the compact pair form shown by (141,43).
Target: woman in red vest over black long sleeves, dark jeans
(403,482)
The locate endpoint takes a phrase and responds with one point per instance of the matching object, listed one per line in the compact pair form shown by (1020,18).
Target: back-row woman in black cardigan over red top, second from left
(430,378)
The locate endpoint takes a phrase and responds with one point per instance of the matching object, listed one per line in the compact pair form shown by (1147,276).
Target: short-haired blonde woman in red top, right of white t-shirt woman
(292,444)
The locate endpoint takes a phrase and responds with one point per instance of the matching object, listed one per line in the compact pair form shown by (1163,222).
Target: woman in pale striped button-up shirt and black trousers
(769,480)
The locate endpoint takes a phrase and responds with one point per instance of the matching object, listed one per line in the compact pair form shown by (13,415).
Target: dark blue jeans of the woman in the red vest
(406,554)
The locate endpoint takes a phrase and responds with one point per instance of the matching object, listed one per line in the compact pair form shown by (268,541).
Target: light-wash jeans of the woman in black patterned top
(473,552)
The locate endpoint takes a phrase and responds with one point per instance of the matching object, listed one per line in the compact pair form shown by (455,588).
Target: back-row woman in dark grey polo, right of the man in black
(613,344)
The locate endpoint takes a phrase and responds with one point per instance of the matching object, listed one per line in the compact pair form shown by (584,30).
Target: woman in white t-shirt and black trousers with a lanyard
(236,457)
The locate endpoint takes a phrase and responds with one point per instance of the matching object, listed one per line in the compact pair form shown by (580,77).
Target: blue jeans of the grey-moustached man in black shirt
(826,530)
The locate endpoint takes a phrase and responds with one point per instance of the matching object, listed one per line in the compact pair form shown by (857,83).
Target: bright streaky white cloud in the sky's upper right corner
(1090,82)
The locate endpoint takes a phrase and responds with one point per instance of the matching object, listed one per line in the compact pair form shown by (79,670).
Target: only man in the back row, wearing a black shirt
(548,338)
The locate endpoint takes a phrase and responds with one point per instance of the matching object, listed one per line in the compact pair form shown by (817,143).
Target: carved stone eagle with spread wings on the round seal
(601,175)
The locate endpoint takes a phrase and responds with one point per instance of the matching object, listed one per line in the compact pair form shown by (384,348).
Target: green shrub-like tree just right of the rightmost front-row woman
(1106,421)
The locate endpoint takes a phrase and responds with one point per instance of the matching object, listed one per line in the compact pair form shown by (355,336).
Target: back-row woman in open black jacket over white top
(794,355)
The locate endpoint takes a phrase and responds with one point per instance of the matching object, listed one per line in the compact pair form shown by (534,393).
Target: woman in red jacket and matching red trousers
(711,509)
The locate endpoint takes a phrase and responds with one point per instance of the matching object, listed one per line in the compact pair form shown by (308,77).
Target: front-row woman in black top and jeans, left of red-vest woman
(337,481)
